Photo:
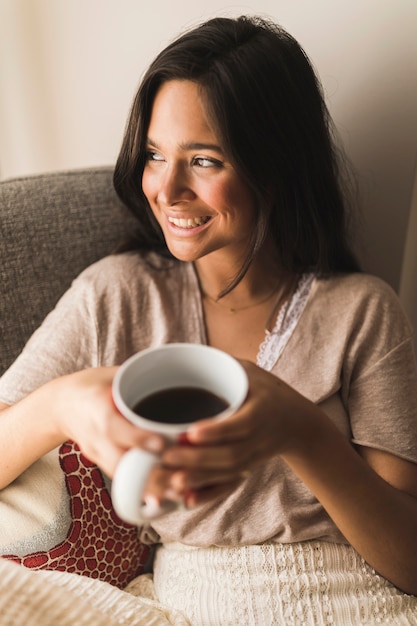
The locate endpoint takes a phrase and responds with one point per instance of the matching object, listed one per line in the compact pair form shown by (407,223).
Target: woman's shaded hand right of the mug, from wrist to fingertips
(221,453)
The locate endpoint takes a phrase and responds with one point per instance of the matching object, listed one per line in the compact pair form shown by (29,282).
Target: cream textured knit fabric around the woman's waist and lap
(300,584)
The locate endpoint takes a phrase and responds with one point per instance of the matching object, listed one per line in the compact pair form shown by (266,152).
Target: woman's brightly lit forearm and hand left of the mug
(76,407)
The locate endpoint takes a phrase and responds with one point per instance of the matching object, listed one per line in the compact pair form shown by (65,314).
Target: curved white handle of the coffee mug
(128,485)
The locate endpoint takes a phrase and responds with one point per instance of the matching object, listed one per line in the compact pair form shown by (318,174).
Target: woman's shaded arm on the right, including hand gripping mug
(370,495)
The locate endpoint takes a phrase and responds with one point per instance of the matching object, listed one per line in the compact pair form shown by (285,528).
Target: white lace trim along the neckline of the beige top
(275,341)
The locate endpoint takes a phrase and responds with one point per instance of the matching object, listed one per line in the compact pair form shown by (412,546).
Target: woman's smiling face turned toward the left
(201,204)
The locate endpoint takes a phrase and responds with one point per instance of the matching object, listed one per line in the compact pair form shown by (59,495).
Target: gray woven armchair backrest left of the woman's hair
(52,226)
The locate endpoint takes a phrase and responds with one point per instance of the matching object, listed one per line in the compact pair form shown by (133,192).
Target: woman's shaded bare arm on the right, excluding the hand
(371,496)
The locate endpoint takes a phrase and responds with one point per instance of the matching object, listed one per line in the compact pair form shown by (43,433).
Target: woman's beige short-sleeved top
(351,352)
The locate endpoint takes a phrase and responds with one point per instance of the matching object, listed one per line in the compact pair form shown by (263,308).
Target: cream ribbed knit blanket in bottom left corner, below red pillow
(52,598)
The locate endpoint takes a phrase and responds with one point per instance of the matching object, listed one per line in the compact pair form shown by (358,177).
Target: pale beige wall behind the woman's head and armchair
(69,69)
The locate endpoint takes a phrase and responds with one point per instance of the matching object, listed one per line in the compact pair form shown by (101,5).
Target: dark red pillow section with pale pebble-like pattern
(97,544)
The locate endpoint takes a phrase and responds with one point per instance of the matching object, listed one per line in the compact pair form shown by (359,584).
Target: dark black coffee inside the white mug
(180,405)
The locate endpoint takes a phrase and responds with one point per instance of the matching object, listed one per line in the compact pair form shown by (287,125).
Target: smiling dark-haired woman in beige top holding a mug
(294,502)
